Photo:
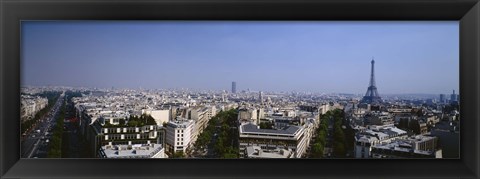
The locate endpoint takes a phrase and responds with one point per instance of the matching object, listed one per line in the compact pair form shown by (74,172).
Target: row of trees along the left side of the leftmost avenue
(52,98)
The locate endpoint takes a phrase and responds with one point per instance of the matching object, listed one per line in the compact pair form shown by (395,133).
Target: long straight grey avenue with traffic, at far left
(35,143)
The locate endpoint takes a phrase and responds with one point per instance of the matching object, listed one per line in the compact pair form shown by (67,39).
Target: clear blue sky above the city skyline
(321,56)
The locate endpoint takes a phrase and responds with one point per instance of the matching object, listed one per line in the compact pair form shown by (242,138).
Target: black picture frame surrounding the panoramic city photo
(467,12)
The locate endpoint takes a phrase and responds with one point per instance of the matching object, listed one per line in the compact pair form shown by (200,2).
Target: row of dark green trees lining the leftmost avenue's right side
(55,145)
